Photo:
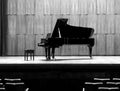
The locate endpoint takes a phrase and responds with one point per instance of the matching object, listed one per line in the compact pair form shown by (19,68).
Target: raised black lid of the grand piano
(64,30)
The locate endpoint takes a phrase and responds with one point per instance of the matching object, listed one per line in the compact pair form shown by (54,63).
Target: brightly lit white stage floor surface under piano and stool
(62,60)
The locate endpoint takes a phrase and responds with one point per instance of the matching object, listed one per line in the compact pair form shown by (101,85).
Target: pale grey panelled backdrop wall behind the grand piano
(31,20)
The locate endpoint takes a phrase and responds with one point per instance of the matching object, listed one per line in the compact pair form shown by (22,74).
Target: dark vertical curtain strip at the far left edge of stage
(3,26)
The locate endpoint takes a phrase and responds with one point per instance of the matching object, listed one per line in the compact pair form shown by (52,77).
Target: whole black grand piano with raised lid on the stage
(66,34)
